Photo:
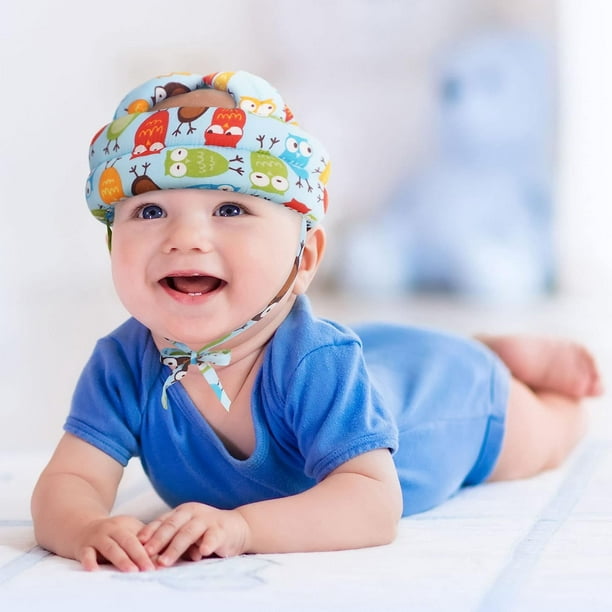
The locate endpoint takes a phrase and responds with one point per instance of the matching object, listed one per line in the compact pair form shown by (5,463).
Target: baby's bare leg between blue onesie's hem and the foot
(541,430)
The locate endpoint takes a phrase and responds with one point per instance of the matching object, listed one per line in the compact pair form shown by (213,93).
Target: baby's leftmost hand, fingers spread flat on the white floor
(114,539)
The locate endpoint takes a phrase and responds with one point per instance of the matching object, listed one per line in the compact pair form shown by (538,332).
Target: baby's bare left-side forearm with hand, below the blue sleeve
(71,505)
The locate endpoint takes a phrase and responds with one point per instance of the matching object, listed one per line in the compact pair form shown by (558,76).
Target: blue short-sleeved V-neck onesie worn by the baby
(324,395)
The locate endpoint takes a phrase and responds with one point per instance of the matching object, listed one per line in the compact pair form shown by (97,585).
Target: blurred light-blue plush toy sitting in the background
(478,221)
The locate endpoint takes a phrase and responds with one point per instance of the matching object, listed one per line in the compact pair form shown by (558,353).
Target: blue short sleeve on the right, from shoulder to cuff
(329,406)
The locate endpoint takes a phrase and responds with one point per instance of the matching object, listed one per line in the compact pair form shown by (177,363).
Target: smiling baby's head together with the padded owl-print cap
(191,141)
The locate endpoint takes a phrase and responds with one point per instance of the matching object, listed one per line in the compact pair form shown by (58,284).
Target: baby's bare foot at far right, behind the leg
(548,364)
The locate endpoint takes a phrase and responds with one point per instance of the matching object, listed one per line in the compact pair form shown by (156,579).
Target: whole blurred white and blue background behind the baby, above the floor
(469,141)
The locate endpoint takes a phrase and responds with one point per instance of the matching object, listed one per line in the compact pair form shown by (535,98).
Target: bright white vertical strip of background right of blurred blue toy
(585,206)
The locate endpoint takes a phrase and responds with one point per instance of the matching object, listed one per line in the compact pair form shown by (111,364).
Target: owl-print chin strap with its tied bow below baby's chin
(179,357)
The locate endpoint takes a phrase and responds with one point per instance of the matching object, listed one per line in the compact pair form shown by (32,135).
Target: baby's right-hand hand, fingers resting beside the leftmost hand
(195,531)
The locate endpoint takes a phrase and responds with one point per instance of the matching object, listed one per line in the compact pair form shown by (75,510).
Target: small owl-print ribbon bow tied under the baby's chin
(180,357)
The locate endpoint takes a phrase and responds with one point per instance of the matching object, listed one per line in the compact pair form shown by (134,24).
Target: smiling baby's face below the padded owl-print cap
(195,264)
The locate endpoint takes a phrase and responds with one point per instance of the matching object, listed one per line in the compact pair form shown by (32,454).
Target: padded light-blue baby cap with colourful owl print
(255,148)
